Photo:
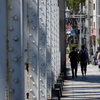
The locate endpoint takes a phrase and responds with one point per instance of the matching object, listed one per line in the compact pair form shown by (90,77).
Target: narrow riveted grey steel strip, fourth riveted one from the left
(48,63)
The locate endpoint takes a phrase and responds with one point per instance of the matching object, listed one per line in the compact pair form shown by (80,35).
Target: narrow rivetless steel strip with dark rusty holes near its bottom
(25,73)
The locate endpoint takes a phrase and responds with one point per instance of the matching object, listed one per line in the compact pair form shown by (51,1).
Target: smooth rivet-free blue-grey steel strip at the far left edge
(3,52)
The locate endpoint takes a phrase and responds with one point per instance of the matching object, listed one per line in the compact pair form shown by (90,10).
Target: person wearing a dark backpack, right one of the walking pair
(84,59)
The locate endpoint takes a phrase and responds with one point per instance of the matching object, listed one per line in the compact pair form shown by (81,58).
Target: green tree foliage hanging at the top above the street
(73,5)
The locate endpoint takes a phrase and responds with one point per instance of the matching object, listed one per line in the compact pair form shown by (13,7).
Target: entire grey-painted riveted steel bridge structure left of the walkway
(30,51)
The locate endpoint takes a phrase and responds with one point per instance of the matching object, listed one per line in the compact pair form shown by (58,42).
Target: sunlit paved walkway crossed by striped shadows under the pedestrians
(82,89)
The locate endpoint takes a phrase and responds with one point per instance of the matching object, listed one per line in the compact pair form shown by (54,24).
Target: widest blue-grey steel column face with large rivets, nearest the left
(14,31)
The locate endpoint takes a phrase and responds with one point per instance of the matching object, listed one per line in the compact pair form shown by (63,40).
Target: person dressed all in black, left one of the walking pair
(73,55)
